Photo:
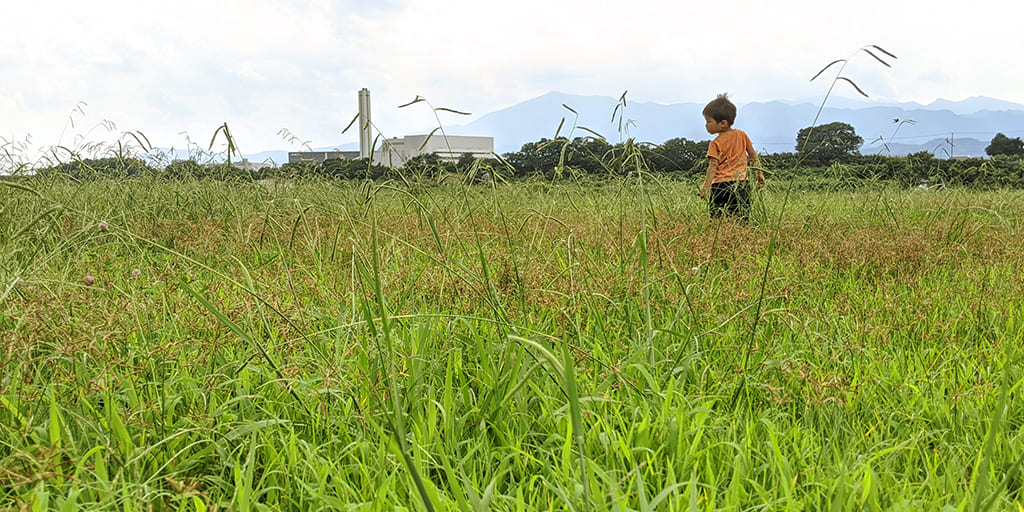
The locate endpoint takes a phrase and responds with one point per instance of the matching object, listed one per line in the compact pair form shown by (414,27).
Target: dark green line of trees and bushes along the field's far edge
(827,156)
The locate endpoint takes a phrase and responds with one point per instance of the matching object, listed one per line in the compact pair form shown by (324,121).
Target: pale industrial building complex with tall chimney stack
(396,152)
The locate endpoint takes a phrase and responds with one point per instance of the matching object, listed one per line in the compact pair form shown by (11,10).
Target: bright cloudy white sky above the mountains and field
(284,75)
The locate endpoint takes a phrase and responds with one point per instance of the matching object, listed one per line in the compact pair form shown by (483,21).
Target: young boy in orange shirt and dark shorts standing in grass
(727,188)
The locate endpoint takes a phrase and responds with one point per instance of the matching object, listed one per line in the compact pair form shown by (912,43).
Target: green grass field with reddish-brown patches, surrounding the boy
(311,346)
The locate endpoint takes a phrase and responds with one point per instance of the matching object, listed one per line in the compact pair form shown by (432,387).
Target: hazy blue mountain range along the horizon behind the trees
(945,129)
